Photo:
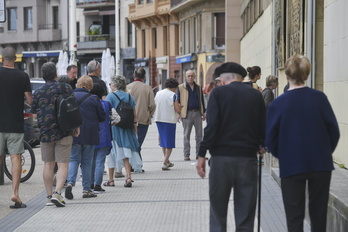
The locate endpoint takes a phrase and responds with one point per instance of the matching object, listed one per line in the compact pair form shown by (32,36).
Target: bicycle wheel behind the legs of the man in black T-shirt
(27,162)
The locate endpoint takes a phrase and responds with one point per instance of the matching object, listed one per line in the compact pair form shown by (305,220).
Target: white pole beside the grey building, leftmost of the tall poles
(72,31)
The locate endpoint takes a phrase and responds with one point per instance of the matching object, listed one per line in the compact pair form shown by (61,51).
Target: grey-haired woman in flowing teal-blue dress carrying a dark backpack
(125,143)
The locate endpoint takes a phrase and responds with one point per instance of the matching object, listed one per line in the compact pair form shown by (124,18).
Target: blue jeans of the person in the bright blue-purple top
(98,164)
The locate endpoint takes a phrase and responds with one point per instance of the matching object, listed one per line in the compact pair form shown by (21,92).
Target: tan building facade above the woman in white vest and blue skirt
(156,40)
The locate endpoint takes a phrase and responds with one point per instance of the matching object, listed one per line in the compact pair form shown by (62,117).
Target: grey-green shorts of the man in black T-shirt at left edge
(13,142)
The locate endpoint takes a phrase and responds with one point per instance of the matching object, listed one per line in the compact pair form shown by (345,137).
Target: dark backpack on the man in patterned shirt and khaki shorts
(67,112)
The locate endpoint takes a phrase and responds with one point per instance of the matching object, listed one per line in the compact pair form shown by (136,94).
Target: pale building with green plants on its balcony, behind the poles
(96,32)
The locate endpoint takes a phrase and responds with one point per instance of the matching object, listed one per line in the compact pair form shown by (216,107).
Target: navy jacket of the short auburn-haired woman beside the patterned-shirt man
(92,113)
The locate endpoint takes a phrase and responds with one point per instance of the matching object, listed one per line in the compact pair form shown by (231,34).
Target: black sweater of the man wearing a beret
(235,122)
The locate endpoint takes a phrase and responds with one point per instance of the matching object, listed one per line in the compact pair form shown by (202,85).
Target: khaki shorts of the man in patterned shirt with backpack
(58,151)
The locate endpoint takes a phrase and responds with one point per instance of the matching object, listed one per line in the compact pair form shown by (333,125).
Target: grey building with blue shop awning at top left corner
(37,29)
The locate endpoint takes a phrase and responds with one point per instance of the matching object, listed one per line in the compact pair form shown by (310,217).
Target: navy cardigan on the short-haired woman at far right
(302,131)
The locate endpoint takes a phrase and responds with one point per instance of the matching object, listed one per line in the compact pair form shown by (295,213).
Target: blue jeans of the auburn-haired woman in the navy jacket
(81,154)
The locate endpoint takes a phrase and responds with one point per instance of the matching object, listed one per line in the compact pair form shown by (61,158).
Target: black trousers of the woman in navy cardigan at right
(294,198)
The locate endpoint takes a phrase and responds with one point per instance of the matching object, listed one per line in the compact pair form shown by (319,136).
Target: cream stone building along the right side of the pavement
(275,30)
